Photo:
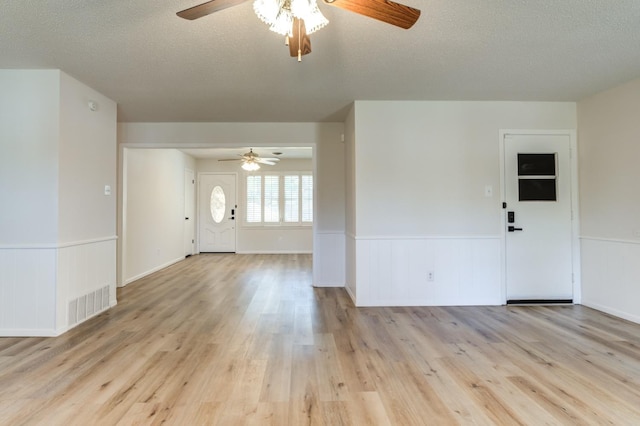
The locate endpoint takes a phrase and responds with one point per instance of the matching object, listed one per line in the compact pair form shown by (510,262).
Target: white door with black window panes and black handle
(538,251)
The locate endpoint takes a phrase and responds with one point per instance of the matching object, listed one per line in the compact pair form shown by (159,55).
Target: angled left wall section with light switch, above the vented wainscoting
(87,159)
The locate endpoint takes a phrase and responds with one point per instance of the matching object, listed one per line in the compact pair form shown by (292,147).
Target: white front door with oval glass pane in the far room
(217,208)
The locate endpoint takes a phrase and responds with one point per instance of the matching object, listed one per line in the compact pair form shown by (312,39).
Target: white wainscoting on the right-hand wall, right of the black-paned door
(611,276)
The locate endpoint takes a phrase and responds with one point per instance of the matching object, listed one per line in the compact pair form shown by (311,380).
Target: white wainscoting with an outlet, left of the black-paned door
(393,271)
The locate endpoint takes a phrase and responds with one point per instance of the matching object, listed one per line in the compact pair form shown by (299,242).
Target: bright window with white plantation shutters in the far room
(282,198)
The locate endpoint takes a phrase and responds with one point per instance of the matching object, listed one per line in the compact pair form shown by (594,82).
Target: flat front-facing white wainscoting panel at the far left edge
(28,291)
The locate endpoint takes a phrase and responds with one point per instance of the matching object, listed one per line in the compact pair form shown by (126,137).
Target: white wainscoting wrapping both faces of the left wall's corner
(39,283)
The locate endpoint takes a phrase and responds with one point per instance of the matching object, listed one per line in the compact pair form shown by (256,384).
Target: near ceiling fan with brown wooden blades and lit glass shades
(296,19)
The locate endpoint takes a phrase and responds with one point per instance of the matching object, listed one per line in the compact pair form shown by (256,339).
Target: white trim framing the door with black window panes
(575,223)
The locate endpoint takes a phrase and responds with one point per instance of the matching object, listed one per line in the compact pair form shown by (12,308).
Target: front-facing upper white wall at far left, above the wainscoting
(29,129)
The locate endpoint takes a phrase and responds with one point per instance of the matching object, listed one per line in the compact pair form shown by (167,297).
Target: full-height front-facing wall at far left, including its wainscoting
(29,128)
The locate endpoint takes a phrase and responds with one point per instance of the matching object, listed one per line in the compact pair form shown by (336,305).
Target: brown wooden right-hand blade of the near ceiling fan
(383,10)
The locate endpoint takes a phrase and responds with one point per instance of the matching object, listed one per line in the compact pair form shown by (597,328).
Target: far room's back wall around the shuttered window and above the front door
(267,239)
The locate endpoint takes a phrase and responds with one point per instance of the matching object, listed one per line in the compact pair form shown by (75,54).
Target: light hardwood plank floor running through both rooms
(243,339)
